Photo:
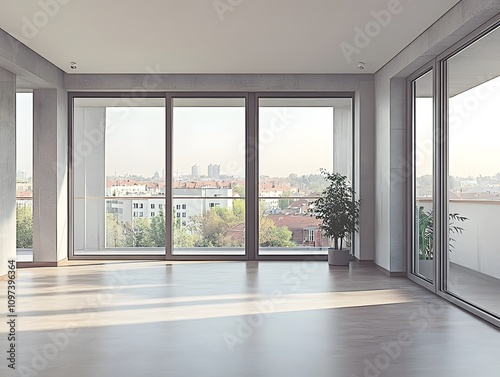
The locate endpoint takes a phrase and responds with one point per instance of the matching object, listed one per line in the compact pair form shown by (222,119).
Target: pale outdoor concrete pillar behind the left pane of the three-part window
(89,178)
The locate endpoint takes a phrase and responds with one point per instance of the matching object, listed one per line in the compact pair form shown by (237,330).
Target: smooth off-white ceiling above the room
(190,36)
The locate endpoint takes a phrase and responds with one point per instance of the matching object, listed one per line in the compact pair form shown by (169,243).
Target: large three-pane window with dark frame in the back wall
(184,180)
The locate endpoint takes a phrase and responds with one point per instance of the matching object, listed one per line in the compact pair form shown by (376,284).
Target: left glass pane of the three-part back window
(119,176)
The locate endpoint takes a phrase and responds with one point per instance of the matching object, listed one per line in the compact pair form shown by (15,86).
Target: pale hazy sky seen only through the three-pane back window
(297,140)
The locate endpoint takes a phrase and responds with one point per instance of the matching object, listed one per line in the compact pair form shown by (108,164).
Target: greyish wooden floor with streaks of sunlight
(239,319)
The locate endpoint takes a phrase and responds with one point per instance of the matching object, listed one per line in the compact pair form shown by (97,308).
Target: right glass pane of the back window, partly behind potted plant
(297,138)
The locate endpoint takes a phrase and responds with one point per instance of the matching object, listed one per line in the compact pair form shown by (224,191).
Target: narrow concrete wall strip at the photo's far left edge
(7,169)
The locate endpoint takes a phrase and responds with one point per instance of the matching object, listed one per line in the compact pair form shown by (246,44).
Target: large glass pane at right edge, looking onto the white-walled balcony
(473,258)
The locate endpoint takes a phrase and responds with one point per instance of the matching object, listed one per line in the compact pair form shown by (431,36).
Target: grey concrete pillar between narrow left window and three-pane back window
(50,176)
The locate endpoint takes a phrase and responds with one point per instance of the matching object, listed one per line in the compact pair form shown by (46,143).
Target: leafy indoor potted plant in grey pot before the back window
(340,212)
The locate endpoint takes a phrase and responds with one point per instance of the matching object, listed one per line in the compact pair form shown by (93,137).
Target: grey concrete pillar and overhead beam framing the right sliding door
(391,162)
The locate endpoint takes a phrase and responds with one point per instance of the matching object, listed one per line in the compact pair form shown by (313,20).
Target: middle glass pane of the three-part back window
(209,176)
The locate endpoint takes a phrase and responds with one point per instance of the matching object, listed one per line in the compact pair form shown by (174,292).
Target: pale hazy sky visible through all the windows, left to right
(293,140)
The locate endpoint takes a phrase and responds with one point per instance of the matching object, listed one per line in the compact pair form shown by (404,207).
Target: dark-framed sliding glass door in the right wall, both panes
(455,181)
